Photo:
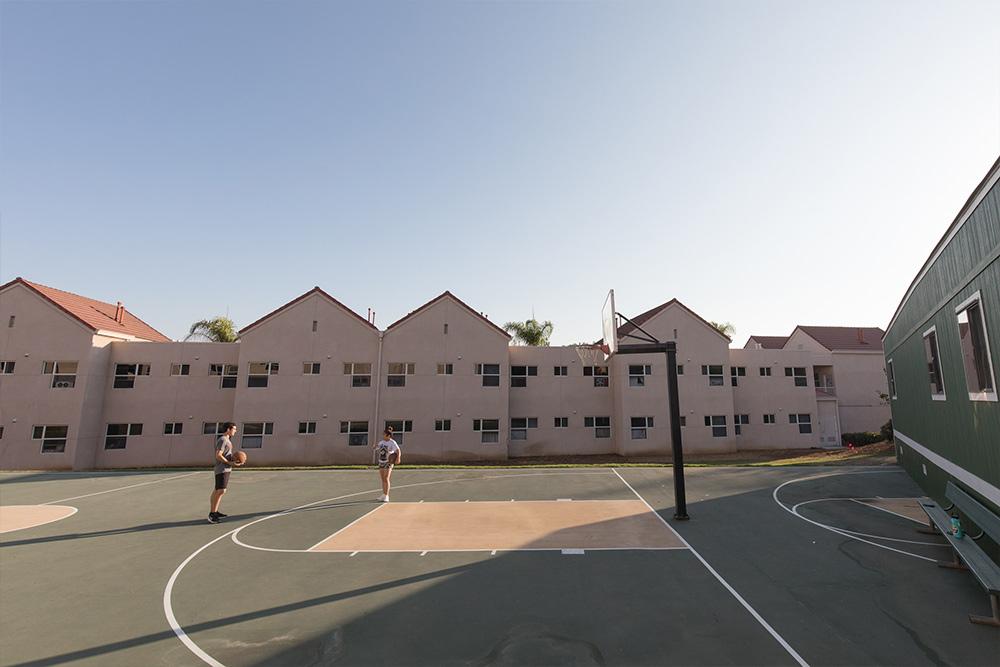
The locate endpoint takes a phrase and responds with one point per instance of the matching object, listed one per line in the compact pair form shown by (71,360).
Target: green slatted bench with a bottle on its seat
(967,554)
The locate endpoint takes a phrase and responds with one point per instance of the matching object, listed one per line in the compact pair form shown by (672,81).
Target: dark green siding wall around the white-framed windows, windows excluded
(963,431)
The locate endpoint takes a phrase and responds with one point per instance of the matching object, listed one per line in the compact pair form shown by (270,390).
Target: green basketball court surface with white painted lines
(778,566)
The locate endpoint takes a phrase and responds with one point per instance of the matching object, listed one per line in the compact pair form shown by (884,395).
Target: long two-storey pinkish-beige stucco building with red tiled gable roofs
(86,384)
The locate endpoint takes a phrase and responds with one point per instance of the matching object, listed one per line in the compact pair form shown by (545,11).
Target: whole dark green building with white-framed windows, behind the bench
(942,352)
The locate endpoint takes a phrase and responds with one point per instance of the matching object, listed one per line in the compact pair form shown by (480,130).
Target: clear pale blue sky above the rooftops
(767,163)
